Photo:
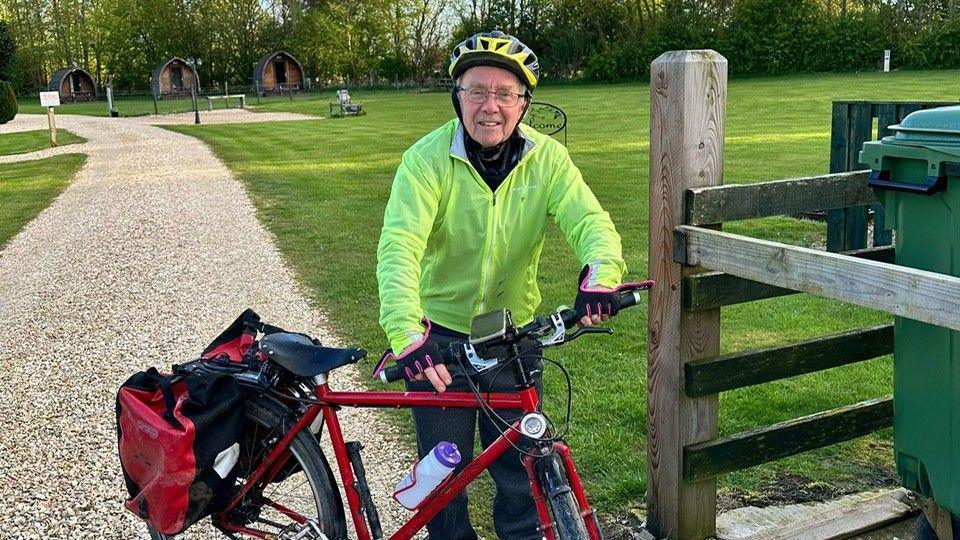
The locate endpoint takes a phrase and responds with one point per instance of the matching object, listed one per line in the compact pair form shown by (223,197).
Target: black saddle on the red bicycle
(301,356)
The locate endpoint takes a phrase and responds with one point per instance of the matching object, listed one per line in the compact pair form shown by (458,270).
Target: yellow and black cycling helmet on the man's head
(499,50)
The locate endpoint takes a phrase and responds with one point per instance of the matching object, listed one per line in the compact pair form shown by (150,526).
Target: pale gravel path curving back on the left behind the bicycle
(148,254)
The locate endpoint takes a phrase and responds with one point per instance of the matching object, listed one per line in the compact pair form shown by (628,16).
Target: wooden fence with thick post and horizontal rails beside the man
(699,268)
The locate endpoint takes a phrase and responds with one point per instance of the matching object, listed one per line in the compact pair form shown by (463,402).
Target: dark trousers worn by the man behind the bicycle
(514,514)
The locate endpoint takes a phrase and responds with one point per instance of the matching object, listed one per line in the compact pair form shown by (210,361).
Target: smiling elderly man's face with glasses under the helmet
(490,122)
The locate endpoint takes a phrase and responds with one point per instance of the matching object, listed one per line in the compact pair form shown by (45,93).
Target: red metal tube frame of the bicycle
(525,400)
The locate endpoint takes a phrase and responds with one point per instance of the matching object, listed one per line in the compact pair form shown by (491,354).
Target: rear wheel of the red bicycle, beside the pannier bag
(307,486)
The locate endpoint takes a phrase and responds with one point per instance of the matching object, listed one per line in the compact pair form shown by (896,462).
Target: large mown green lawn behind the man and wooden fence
(321,187)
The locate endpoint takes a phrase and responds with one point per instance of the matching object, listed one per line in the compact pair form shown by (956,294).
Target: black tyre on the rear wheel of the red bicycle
(328,507)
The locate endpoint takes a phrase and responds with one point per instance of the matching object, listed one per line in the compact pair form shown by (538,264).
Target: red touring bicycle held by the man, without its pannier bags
(288,490)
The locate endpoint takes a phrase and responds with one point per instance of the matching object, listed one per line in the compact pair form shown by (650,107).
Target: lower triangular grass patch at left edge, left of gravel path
(27,188)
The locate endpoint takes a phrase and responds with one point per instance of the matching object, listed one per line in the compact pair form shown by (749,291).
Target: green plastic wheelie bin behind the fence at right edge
(916,176)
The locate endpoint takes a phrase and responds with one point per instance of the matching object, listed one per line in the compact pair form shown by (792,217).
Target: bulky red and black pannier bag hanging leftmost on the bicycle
(179,438)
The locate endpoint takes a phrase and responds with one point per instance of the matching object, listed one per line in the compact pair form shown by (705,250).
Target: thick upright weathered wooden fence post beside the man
(687,108)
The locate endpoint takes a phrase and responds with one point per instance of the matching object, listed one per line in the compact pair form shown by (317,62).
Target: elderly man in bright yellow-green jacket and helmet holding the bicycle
(462,235)
